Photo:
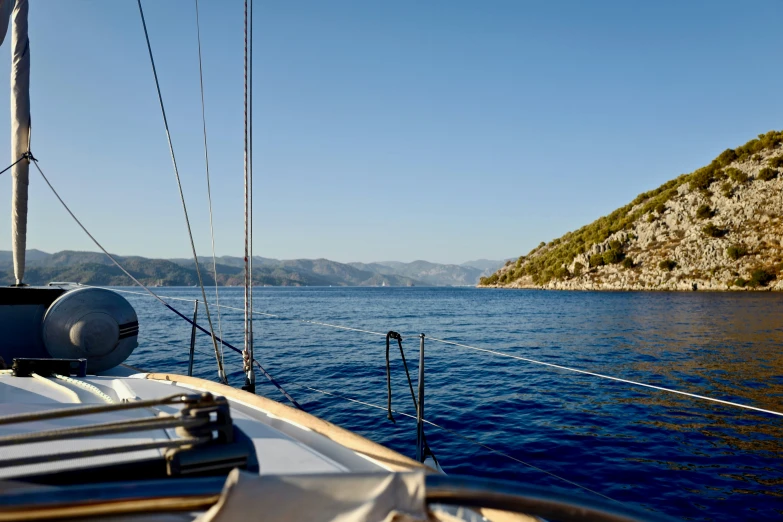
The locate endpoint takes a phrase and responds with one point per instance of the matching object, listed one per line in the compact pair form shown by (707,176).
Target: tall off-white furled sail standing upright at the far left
(20,133)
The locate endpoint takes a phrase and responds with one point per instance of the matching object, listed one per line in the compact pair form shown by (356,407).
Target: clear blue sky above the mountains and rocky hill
(440,130)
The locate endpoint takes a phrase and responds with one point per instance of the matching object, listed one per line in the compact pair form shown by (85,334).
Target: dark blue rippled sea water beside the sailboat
(681,456)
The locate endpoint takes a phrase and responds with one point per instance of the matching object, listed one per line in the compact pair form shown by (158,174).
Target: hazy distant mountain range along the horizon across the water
(95,268)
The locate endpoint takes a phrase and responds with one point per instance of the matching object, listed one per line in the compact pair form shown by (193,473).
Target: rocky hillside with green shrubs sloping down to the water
(718,228)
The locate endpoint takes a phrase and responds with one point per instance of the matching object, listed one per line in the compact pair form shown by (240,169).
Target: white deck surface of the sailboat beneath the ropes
(282,447)
